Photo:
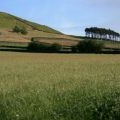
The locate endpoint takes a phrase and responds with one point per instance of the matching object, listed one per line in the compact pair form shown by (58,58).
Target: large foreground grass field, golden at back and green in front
(59,86)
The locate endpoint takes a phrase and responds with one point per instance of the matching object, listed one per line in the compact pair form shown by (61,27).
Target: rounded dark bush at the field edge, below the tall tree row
(90,46)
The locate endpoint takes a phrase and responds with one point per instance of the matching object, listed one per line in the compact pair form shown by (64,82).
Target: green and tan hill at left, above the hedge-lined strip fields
(7,22)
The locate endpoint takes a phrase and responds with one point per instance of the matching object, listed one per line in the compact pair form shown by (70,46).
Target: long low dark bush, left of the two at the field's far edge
(36,46)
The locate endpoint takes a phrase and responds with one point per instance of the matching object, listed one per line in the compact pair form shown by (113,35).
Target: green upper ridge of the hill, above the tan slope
(9,21)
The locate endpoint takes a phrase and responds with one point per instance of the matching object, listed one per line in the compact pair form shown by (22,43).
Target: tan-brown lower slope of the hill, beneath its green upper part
(8,35)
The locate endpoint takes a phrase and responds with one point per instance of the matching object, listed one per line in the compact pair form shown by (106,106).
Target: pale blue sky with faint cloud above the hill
(67,16)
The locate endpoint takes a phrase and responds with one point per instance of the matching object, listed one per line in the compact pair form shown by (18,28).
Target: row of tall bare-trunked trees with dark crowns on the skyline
(102,33)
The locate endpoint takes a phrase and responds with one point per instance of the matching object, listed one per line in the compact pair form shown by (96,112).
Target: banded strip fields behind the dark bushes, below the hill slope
(65,41)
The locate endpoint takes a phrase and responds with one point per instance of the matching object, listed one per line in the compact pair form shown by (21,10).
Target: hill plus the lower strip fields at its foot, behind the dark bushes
(43,34)
